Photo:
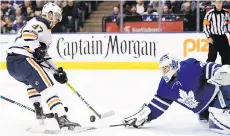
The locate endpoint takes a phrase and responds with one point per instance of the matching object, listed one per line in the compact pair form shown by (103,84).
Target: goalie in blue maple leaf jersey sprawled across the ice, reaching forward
(195,85)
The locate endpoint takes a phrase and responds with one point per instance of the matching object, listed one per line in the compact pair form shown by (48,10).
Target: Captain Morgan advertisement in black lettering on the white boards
(104,47)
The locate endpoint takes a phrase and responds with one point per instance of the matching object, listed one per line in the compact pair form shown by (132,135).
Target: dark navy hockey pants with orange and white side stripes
(27,71)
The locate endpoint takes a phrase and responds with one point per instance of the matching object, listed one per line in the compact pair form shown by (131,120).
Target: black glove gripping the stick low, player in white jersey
(60,76)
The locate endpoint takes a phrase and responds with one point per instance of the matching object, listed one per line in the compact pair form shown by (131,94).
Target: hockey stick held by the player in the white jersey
(101,116)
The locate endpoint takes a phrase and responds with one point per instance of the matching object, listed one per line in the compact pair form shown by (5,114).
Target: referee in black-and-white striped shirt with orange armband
(216,22)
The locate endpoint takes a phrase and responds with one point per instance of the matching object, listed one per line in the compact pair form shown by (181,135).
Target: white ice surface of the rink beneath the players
(122,90)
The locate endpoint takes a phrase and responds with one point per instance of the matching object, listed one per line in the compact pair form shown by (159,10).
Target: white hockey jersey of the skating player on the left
(35,32)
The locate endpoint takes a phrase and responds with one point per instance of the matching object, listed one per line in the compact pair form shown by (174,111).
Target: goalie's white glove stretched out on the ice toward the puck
(139,118)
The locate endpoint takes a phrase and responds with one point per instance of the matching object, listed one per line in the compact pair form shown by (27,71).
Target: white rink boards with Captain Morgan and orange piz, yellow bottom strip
(120,51)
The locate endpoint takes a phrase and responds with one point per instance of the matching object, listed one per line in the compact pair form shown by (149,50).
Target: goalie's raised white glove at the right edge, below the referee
(221,77)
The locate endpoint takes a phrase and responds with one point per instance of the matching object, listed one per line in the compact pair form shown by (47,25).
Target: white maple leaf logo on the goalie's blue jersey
(188,99)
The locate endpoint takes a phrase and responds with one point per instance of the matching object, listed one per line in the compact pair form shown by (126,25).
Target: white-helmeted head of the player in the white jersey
(55,10)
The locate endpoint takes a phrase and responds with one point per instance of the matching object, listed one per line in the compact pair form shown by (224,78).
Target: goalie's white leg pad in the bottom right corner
(219,120)
